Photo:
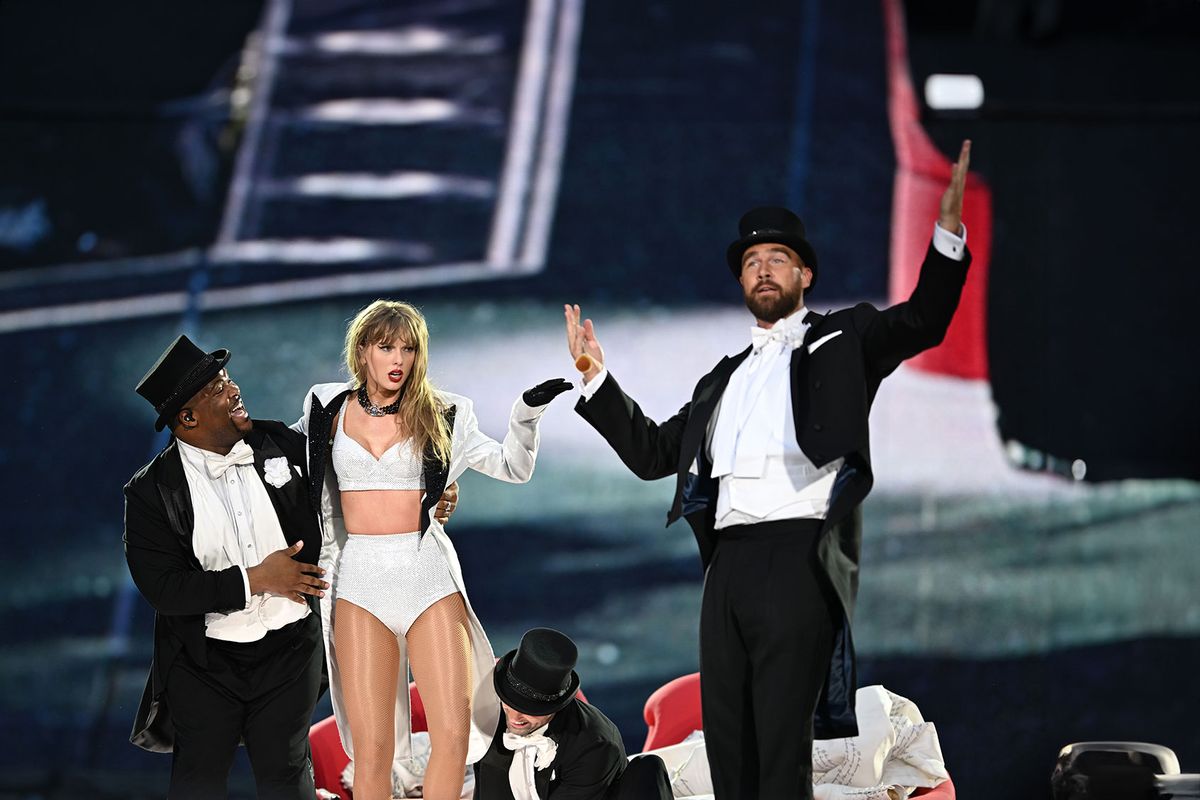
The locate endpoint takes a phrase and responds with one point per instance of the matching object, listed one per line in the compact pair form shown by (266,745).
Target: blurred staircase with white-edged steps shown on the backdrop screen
(382,147)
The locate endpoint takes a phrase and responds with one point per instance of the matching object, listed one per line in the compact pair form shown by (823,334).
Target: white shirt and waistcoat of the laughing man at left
(236,526)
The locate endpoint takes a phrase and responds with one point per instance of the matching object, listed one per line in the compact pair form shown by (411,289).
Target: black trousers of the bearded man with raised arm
(766,639)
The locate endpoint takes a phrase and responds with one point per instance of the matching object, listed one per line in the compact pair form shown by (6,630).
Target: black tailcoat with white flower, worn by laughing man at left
(159,525)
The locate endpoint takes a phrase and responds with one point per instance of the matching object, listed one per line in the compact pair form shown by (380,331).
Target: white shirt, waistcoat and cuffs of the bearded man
(752,436)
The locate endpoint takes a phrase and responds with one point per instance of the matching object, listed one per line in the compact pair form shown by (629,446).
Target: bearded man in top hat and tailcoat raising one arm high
(772,465)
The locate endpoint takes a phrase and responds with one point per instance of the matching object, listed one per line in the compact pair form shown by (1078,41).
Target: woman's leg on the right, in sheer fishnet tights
(441,657)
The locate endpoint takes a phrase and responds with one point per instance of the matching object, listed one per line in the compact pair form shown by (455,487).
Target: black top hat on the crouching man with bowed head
(539,677)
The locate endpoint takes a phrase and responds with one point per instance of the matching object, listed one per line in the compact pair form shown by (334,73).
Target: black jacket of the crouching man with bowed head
(587,766)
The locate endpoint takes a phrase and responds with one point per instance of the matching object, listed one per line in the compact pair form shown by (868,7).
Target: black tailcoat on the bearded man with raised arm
(835,375)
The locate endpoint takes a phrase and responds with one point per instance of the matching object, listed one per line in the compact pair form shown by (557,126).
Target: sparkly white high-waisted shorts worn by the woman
(393,576)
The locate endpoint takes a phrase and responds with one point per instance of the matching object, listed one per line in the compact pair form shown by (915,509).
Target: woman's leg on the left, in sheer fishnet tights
(369,663)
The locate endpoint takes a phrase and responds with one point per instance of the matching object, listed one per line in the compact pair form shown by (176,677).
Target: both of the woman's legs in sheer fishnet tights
(441,658)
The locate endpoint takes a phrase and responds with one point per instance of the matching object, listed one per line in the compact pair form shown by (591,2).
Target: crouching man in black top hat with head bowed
(549,744)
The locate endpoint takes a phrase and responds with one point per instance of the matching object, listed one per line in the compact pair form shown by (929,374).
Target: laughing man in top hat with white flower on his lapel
(223,540)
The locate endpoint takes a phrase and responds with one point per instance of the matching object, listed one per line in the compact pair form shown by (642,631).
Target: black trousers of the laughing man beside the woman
(260,693)
